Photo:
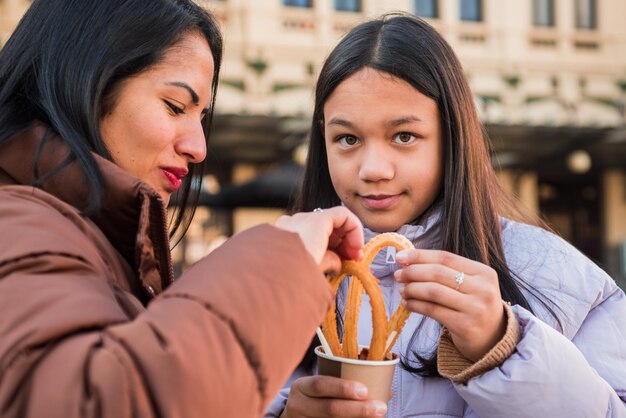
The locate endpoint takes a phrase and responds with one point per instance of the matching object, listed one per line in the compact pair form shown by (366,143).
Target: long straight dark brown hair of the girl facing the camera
(470,198)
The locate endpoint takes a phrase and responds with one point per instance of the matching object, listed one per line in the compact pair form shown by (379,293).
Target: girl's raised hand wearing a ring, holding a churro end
(472,311)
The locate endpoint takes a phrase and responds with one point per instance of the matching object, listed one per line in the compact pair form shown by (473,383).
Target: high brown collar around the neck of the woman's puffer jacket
(132,215)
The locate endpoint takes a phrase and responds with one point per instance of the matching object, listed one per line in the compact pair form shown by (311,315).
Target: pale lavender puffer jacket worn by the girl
(577,371)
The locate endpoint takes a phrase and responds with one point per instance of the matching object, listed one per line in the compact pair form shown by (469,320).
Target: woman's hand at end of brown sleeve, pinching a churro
(329,235)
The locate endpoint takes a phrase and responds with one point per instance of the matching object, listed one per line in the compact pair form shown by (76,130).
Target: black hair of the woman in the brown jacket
(65,60)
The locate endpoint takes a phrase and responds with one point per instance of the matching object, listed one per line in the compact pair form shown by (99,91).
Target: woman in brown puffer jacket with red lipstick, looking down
(103,109)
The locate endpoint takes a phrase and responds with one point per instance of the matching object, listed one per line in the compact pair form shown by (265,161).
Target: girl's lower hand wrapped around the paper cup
(326,396)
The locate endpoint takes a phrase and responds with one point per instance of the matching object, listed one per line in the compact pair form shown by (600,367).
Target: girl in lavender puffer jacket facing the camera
(507,319)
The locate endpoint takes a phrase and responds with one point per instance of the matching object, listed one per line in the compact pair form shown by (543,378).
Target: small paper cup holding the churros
(375,375)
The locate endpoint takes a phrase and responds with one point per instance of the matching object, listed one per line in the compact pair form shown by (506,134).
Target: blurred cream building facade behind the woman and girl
(548,76)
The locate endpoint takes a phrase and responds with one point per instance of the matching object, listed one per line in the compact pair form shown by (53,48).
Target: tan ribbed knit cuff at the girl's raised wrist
(452,365)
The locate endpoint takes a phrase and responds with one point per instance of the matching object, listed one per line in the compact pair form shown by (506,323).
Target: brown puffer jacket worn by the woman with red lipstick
(75,338)
